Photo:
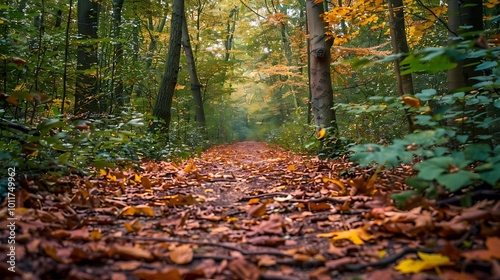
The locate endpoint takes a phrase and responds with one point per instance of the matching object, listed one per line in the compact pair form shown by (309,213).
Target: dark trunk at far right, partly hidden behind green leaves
(463,13)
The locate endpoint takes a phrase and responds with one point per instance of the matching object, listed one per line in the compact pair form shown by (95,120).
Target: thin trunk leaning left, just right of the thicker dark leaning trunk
(193,76)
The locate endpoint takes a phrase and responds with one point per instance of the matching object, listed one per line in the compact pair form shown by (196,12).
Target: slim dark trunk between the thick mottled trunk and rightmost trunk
(400,45)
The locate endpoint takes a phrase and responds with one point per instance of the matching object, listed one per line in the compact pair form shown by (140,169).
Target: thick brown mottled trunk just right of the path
(320,84)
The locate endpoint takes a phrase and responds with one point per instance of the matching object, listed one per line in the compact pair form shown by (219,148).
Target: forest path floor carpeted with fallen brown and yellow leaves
(244,211)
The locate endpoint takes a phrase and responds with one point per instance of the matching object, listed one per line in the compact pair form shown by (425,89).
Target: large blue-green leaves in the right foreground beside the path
(456,145)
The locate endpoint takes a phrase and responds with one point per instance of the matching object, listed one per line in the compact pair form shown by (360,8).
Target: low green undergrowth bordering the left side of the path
(62,146)
